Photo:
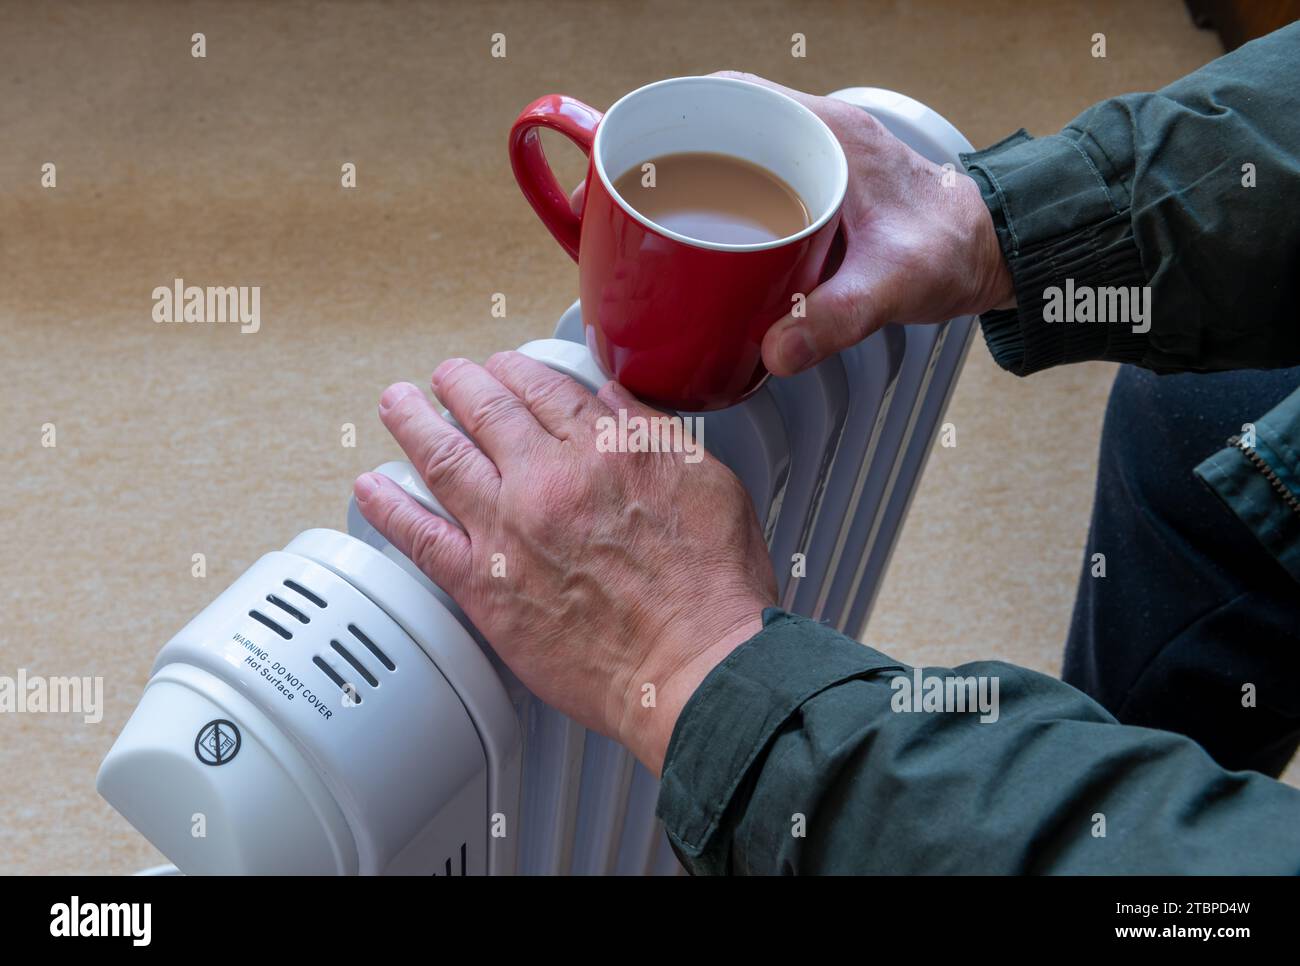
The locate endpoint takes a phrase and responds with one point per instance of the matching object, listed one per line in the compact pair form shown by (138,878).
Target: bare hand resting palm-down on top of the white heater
(610,583)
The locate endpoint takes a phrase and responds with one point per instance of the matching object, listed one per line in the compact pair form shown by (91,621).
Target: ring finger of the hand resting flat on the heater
(458,474)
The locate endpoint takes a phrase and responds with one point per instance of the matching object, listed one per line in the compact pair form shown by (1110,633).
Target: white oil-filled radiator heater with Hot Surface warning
(333,712)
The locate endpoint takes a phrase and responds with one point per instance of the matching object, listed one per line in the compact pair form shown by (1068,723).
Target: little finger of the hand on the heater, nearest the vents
(439,548)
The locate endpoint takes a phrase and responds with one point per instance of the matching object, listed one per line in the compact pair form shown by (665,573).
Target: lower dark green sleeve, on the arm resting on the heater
(799,756)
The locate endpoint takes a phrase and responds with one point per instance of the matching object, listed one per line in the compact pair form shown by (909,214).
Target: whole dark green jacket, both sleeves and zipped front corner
(799,753)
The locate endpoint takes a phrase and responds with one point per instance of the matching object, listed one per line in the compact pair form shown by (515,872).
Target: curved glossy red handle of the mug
(578,123)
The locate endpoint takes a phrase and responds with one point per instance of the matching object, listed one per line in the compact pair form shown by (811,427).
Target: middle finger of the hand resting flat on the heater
(496,418)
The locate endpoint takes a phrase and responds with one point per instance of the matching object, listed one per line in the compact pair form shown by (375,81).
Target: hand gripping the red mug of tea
(920,245)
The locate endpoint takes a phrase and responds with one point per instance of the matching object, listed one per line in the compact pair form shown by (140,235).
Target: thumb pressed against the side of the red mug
(840,313)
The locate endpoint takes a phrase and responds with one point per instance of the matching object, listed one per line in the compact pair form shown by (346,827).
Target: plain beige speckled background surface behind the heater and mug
(226,171)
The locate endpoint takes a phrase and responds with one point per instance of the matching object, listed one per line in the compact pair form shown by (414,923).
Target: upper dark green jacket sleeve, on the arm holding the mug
(1189,193)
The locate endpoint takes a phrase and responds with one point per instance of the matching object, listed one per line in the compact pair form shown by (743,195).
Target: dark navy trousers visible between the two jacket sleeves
(1191,608)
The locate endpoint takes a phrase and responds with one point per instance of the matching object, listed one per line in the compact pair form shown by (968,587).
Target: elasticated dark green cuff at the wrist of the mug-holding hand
(1064,227)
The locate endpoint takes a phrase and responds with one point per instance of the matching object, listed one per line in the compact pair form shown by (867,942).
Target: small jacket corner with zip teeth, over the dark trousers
(1262,487)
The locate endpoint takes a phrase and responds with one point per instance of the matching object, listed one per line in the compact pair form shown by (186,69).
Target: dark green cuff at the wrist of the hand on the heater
(727,725)
